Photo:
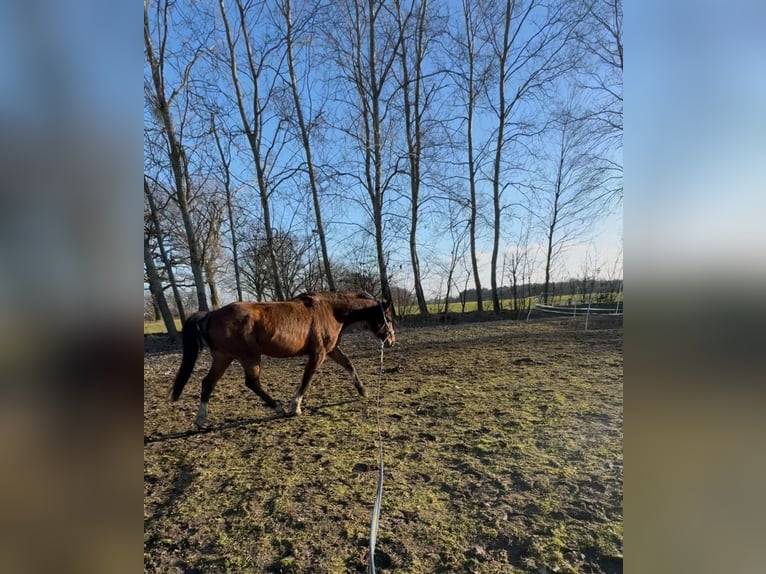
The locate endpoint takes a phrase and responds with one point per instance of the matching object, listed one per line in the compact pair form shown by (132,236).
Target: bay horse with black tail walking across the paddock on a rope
(310,324)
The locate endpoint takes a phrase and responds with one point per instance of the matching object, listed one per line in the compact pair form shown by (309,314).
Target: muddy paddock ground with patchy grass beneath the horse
(502,445)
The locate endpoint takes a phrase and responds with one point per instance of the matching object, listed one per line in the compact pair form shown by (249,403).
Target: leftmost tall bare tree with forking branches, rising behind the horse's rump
(161,103)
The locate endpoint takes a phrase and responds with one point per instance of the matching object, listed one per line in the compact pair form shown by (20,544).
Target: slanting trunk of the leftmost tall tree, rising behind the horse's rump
(177,162)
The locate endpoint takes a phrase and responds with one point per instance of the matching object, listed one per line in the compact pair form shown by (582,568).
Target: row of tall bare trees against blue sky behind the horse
(369,144)
